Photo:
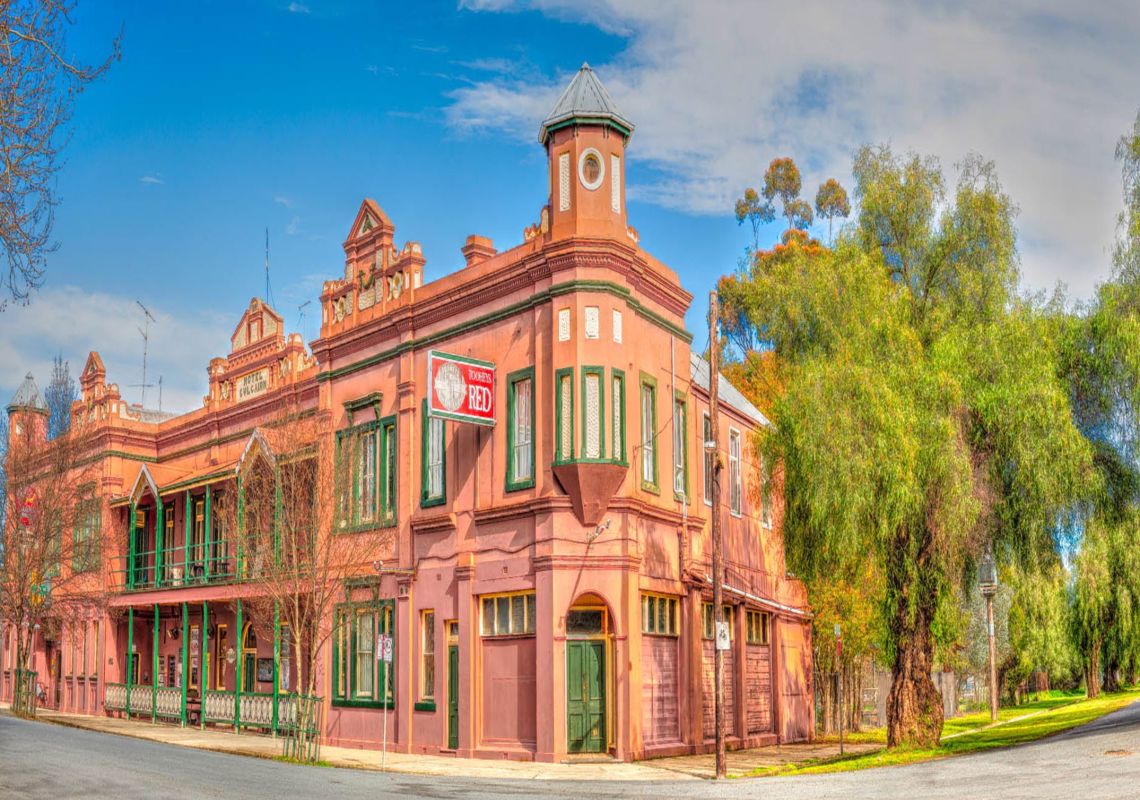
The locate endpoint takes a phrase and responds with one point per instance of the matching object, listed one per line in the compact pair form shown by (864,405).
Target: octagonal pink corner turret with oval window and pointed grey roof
(585,138)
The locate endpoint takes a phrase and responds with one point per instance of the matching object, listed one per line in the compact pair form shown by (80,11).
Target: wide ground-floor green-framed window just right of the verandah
(360,677)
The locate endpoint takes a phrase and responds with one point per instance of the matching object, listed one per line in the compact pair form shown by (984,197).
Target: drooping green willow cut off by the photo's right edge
(1102,364)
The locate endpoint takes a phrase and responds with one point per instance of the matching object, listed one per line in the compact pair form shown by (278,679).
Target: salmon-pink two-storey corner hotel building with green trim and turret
(530,435)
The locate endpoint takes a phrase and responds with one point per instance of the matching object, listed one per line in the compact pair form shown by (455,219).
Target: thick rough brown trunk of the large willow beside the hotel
(915,713)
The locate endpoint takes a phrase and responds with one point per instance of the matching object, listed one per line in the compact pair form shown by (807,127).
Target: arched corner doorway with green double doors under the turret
(589,708)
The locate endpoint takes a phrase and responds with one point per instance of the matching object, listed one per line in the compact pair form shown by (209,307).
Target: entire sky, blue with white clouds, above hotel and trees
(224,119)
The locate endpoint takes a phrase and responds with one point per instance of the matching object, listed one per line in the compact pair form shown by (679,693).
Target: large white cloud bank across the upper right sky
(718,89)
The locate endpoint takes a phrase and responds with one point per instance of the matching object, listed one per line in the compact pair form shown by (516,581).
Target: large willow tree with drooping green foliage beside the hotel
(924,415)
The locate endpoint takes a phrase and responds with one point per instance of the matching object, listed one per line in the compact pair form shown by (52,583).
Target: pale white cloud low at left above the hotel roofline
(72,322)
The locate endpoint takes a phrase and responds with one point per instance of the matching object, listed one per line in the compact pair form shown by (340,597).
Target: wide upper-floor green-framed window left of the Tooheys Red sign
(367,475)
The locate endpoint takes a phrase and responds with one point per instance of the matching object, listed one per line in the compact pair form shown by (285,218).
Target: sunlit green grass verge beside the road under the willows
(1056,714)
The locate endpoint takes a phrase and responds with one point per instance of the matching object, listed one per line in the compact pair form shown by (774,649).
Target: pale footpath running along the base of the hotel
(671,770)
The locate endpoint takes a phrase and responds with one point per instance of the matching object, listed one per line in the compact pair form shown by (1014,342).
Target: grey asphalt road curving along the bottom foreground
(42,761)
